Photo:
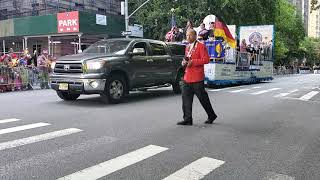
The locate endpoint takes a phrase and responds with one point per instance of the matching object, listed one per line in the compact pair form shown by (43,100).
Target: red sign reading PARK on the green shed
(68,22)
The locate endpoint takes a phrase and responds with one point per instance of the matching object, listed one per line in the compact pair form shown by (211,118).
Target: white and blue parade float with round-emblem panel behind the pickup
(250,61)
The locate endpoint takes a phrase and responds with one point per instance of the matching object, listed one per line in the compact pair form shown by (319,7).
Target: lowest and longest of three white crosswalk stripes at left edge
(34,139)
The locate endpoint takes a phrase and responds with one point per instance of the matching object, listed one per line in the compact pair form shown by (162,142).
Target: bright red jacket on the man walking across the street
(199,57)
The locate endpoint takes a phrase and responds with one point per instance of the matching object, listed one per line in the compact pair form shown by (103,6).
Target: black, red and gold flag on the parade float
(222,30)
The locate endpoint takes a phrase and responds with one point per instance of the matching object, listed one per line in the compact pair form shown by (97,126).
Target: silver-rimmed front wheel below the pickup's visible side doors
(115,89)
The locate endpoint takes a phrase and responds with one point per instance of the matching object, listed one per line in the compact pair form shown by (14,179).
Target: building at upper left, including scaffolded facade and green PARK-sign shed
(44,24)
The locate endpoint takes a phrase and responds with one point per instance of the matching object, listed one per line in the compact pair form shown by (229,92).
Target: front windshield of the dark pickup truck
(108,47)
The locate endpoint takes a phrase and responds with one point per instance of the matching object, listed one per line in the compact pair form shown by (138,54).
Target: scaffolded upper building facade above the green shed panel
(21,8)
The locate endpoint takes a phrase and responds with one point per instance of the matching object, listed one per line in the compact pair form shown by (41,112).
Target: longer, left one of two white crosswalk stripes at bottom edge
(113,165)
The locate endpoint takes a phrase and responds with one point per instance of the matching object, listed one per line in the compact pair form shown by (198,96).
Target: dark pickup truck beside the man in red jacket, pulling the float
(113,67)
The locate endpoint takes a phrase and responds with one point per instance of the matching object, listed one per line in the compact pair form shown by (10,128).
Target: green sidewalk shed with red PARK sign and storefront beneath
(61,34)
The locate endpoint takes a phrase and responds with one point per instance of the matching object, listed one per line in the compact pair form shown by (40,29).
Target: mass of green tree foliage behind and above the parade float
(156,19)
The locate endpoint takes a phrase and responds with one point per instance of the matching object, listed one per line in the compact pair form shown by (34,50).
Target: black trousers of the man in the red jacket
(188,91)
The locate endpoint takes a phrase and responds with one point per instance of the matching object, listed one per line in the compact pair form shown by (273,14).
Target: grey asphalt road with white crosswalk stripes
(264,131)
